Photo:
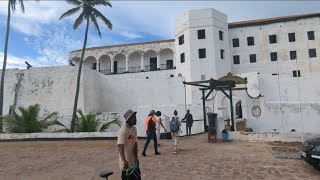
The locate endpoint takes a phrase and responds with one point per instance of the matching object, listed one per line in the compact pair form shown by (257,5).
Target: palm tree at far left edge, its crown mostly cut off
(11,6)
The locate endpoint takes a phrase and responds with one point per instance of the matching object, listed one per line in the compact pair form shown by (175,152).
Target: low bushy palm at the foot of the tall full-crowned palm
(88,123)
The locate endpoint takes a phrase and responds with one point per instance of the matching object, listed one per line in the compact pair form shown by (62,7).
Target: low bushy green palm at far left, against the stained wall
(28,121)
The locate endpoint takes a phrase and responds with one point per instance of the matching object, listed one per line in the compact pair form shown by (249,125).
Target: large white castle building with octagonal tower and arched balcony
(277,56)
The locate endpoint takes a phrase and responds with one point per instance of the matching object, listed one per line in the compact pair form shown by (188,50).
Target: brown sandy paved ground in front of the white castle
(196,159)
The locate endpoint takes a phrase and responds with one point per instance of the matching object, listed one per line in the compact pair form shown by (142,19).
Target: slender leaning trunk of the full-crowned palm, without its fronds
(78,79)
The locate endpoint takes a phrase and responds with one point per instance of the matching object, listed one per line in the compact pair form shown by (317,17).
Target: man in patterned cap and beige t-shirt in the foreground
(127,144)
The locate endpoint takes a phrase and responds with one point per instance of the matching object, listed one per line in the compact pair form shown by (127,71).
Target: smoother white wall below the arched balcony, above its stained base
(122,92)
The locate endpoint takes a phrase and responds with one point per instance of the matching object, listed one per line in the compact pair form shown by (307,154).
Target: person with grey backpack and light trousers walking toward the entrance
(175,124)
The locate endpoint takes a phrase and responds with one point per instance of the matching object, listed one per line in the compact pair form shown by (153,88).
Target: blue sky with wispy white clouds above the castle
(39,37)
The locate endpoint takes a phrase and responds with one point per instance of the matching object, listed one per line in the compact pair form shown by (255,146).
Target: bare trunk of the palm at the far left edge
(4,67)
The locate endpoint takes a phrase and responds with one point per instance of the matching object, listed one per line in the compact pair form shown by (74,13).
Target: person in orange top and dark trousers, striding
(150,126)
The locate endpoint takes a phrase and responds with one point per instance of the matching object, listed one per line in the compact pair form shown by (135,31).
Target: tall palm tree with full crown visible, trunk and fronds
(88,12)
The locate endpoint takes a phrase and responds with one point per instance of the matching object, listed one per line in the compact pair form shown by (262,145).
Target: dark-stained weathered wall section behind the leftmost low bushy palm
(51,87)
